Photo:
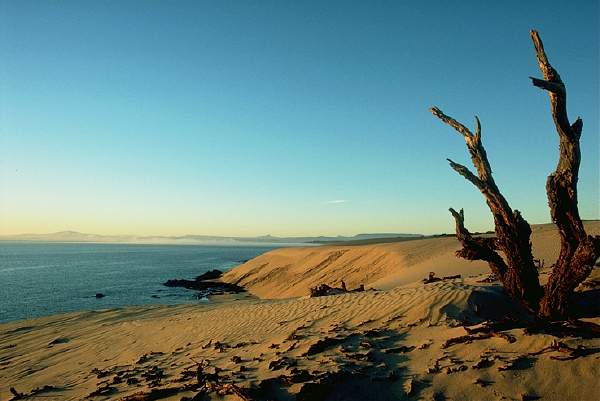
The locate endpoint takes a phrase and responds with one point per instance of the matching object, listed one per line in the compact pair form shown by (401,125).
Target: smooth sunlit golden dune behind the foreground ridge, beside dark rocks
(290,272)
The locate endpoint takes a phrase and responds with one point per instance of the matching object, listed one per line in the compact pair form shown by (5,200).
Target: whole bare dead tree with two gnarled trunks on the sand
(516,268)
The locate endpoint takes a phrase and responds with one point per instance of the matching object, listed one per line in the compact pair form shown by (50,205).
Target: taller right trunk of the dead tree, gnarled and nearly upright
(578,251)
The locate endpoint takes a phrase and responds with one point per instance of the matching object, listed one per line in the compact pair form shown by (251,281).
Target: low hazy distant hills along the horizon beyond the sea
(74,236)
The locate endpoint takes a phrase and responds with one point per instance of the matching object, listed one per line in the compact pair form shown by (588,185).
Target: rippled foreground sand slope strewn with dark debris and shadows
(372,327)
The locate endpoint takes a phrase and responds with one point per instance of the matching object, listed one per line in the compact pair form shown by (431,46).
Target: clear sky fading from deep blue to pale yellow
(280,117)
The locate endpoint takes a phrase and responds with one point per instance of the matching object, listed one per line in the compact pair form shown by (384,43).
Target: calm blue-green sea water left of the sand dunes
(39,279)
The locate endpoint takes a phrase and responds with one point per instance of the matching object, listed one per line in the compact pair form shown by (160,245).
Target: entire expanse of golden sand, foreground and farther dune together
(389,343)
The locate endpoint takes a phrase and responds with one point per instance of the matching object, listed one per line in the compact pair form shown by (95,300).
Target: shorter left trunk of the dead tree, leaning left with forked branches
(518,273)
